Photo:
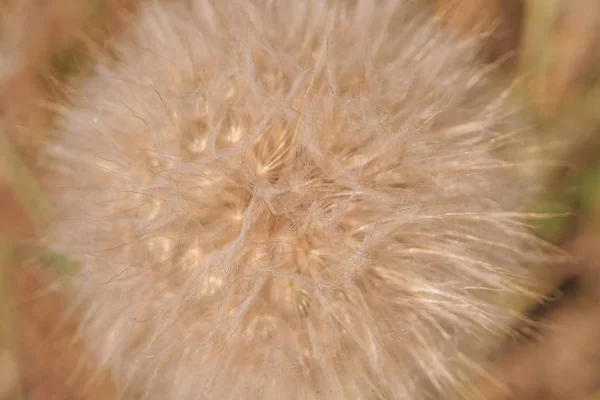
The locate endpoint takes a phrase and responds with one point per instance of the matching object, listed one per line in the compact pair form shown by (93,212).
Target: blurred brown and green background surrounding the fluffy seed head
(550,48)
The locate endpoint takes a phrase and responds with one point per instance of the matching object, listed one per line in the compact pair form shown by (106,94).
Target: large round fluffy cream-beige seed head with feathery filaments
(287,199)
